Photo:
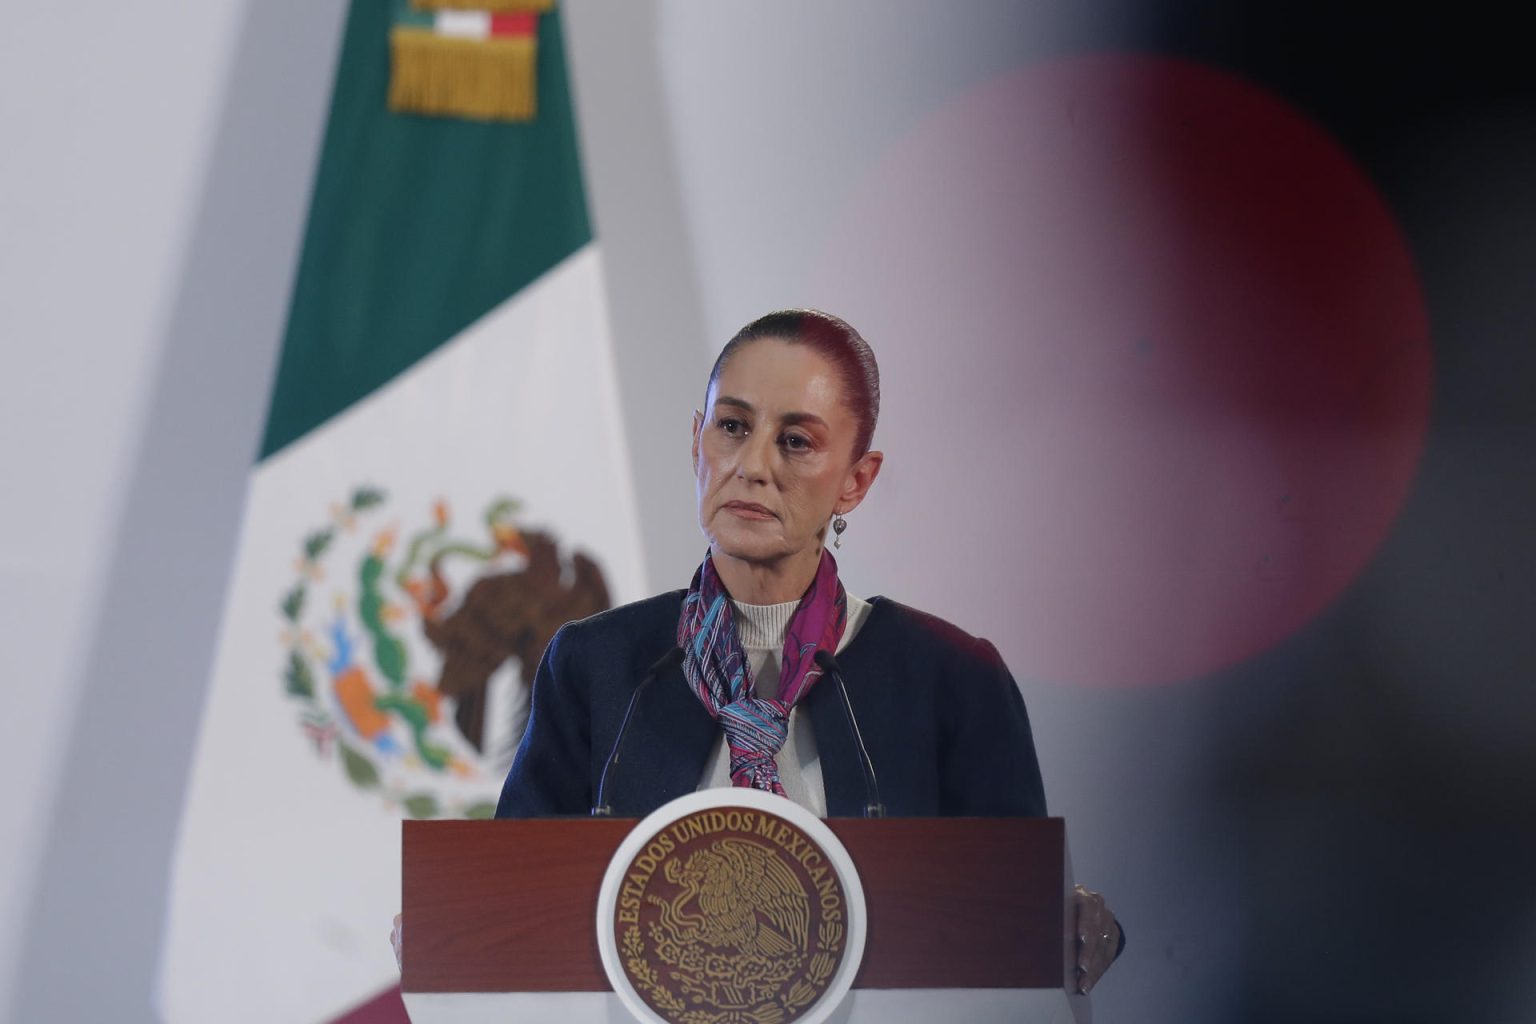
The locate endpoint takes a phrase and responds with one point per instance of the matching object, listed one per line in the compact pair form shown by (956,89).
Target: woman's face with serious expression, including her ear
(773,455)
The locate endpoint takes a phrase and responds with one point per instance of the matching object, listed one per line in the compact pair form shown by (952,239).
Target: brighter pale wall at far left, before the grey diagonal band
(104,156)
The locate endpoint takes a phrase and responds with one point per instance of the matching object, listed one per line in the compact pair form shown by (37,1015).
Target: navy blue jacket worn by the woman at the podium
(941,716)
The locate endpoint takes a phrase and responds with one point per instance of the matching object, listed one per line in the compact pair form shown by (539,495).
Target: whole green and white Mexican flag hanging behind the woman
(442,484)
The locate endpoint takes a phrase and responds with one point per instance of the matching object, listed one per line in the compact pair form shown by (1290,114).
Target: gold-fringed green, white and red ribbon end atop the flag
(472,59)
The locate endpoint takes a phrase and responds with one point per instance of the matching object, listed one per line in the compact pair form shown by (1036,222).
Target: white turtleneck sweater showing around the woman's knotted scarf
(761,630)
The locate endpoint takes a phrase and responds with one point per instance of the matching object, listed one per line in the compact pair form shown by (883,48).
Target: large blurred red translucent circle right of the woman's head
(1196,357)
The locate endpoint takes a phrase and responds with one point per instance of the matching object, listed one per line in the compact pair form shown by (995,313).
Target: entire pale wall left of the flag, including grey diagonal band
(154,171)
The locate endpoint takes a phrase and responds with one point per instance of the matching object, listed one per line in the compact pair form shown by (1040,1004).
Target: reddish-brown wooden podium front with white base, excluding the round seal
(967,922)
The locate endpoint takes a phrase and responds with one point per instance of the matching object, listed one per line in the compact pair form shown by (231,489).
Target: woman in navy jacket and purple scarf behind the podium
(781,452)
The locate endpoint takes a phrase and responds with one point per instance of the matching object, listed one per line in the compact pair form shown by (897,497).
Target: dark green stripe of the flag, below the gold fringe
(419,226)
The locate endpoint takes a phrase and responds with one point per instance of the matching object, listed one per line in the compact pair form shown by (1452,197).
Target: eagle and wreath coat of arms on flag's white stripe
(396,673)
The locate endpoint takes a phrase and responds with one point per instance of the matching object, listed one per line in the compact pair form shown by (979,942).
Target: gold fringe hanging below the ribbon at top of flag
(480,79)
